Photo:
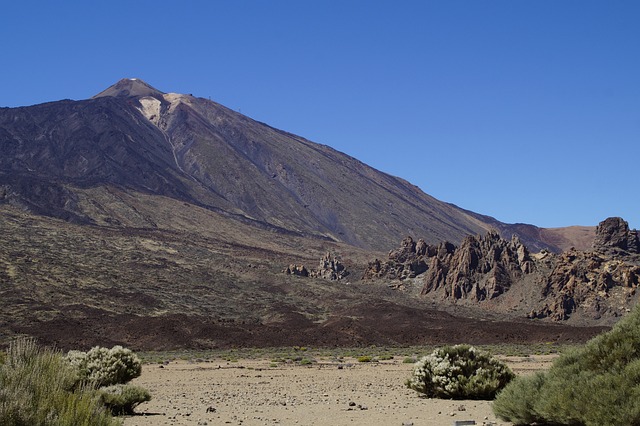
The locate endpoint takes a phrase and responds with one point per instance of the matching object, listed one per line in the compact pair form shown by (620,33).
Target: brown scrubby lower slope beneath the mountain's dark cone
(211,282)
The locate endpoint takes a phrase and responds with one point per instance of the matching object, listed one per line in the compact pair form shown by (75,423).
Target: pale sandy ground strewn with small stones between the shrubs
(251,392)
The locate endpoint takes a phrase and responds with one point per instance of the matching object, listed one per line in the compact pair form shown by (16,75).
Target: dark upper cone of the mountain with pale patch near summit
(56,158)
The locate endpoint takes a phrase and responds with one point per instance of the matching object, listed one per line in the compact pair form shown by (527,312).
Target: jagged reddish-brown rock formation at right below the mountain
(595,283)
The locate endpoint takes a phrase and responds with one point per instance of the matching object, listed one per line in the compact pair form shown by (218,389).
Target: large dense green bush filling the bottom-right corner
(598,384)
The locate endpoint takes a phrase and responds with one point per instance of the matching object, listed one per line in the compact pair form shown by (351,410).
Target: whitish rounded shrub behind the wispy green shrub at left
(106,367)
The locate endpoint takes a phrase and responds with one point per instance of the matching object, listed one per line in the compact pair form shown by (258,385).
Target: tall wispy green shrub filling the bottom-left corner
(37,387)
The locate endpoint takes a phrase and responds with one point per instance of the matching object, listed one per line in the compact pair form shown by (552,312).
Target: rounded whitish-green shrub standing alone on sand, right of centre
(459,372)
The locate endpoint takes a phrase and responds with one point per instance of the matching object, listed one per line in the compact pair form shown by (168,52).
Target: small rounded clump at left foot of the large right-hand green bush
(516,401)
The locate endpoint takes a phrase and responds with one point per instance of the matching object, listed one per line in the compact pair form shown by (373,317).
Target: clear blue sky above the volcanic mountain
(528,111)
